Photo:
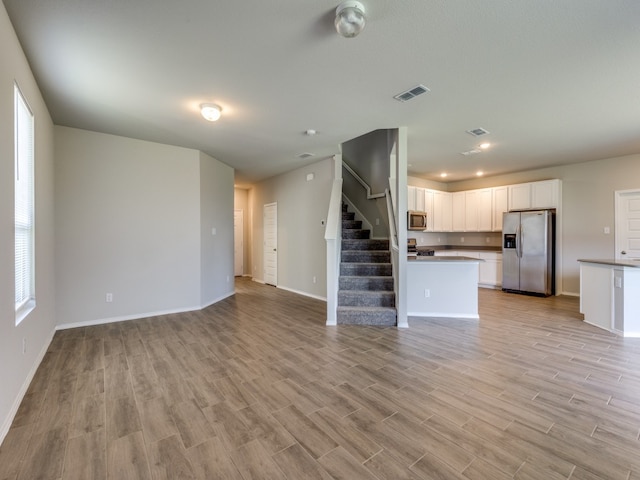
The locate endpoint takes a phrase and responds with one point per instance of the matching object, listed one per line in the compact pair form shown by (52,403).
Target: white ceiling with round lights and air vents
(554,81)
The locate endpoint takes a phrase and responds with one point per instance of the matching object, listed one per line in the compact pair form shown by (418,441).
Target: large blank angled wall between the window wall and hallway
(134,219)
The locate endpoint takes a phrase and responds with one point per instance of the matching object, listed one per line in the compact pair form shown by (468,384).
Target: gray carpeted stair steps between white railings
(365,295)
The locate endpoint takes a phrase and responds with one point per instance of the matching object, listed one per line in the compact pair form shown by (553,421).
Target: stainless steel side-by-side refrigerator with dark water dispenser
(528,252)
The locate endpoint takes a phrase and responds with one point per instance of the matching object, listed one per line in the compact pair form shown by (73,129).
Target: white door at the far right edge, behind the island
(628,225)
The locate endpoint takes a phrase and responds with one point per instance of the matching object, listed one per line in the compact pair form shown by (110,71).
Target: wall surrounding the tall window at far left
(16,368)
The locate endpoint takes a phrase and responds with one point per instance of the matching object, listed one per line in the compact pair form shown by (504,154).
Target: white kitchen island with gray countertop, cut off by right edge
(610,294)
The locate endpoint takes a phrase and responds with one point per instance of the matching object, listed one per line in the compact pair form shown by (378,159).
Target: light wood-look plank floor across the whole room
(257,387)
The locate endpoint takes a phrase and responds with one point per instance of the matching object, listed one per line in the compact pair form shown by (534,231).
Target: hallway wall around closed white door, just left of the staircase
(302,205)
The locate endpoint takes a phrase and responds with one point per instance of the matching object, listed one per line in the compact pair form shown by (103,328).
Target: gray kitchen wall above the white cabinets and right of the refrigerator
(587,206)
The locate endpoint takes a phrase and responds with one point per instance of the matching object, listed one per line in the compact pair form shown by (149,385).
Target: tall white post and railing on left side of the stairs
(333,238)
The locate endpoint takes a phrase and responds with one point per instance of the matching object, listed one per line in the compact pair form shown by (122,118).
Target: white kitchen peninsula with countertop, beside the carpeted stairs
(442,286)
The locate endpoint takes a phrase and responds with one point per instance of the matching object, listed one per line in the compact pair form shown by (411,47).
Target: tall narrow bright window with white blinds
(24,206)
